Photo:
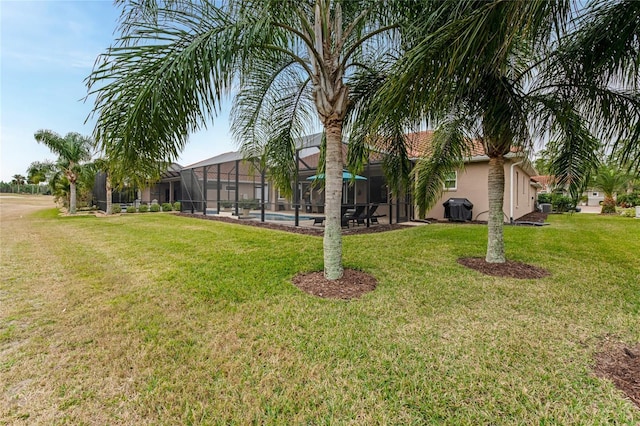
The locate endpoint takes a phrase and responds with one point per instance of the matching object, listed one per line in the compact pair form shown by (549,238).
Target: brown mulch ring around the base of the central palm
(352,285)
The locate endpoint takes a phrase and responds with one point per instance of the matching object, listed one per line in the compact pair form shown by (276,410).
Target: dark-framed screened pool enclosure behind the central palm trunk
(230,182)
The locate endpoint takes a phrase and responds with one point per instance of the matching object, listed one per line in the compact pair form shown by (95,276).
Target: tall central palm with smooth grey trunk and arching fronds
(290,63)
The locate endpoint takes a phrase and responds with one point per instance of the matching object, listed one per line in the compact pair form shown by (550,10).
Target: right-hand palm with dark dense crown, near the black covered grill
(484,71)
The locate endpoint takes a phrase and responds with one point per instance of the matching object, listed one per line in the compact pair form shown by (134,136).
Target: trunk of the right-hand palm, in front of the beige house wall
(495,243)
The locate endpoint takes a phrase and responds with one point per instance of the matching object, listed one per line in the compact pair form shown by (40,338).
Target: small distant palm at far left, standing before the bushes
(72,150)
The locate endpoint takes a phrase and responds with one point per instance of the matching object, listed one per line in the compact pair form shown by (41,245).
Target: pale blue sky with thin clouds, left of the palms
(47,49)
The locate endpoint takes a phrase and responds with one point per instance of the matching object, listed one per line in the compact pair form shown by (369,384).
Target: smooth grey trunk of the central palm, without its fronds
(333,202)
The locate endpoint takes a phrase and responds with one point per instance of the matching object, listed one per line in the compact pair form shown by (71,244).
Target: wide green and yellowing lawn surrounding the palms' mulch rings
(157,319)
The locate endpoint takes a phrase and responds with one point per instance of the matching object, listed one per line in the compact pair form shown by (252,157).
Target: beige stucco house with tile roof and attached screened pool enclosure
(209,185)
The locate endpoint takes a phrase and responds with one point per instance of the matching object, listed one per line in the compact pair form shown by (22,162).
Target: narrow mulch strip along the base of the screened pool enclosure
(304,230)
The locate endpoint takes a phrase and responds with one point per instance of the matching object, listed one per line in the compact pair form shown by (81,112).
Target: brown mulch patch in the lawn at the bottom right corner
(620,364)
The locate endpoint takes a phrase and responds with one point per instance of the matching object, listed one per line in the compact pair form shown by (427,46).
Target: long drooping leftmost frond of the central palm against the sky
(155,85)
